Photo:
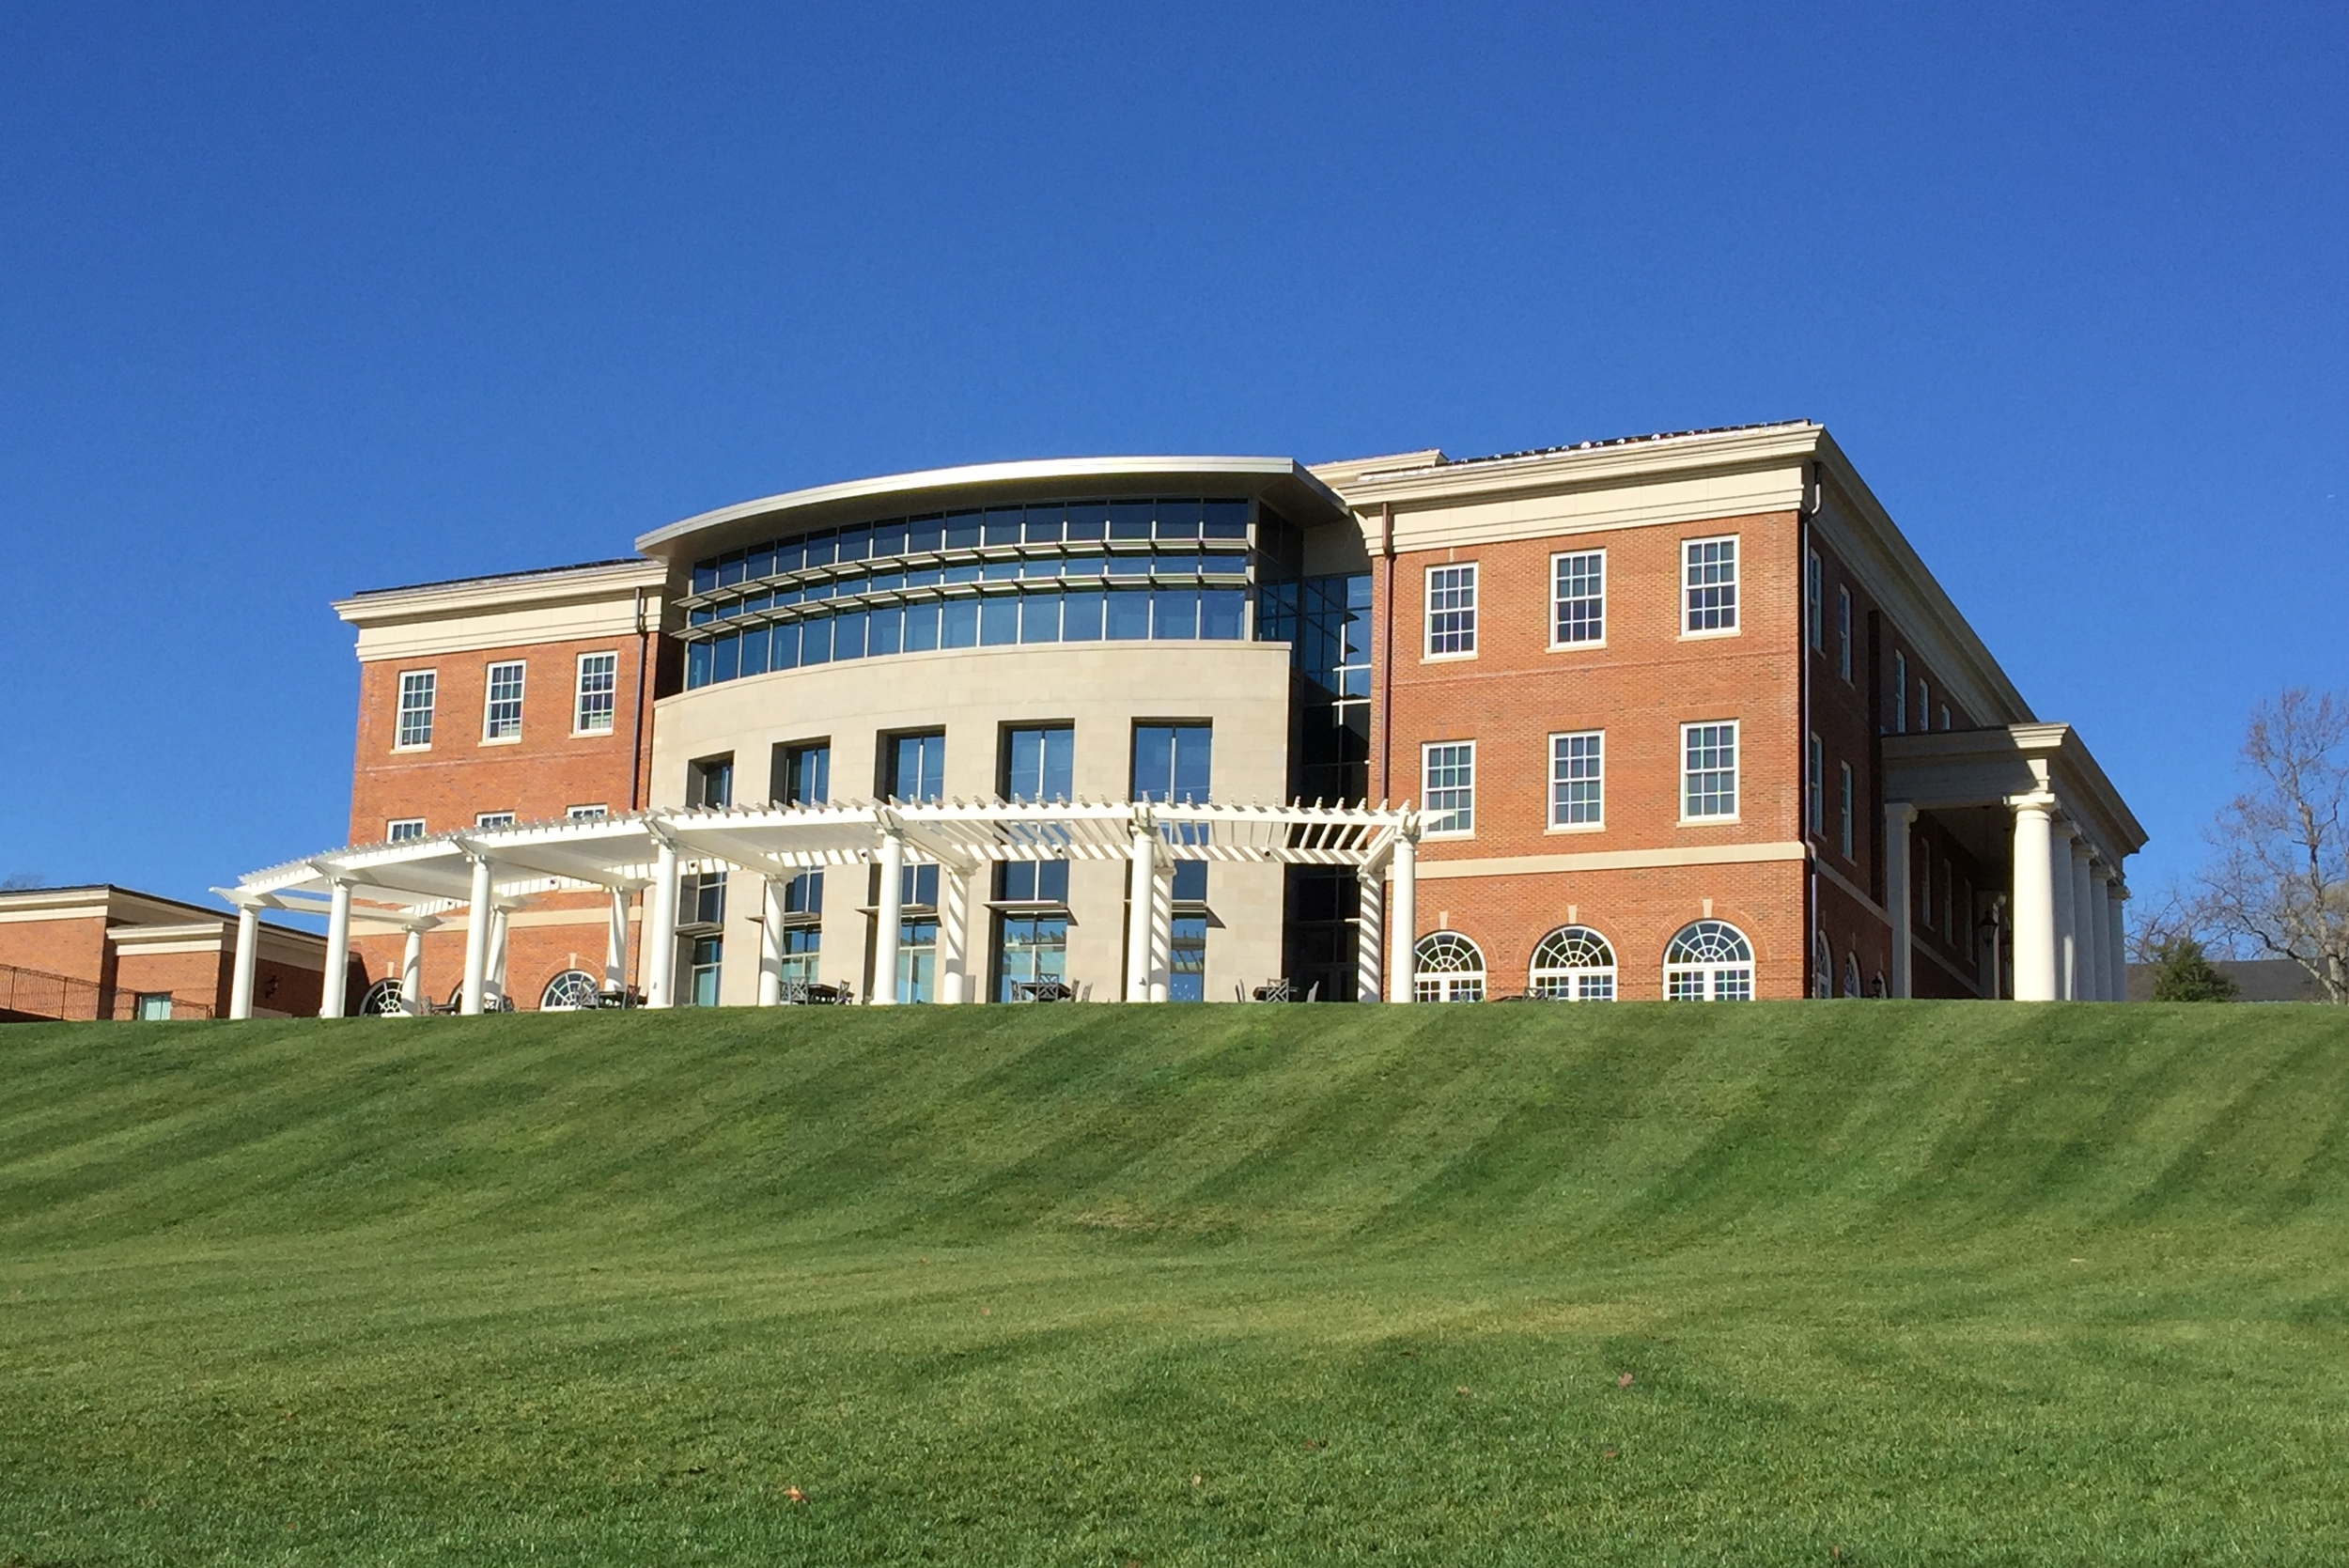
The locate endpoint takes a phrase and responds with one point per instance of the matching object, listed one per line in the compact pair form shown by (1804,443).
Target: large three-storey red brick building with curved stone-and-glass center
(1669,717)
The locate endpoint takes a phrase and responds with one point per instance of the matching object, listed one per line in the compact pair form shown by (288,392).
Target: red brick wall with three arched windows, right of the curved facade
(1638,689)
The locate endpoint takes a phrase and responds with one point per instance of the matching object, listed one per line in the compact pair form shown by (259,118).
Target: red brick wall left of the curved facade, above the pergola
(537,778)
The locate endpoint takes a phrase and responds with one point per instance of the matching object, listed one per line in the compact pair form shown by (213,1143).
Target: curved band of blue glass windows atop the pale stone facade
(1065,572)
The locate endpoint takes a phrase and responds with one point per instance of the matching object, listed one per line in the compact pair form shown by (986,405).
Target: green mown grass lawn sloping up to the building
(1244,1285)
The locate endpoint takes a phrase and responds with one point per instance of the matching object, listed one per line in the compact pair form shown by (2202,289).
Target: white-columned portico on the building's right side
(2035,799)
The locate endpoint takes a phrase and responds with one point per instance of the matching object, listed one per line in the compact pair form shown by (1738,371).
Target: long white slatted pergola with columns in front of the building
(490,872)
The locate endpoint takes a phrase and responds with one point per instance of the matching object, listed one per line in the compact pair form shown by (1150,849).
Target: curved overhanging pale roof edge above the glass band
(859,494)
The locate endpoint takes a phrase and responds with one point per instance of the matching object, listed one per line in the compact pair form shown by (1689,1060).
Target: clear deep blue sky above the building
(299,302)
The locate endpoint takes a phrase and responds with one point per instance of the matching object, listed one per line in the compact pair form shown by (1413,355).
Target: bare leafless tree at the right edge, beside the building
(2280,881)
